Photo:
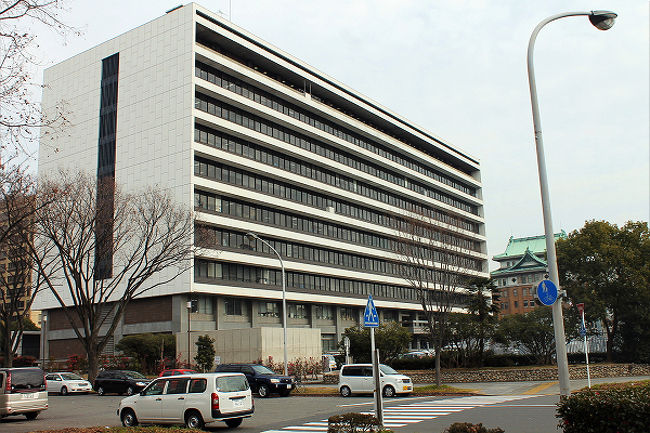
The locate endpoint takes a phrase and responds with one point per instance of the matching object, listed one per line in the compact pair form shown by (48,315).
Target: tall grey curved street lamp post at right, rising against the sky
(602,20)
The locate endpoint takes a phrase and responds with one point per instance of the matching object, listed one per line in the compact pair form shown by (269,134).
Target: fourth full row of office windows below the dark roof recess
(256,182)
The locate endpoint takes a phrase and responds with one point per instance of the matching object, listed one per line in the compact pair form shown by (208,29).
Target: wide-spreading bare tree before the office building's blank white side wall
(111,247)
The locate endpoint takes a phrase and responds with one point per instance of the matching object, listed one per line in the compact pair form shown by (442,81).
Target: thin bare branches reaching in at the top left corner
(20,111)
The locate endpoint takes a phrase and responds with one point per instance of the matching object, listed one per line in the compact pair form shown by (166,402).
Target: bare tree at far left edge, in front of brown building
(17,287)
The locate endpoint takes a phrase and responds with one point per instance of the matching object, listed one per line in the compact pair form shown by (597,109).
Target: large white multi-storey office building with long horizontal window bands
(256,140)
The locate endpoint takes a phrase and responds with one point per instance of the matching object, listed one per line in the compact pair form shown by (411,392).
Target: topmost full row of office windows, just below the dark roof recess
(251,92)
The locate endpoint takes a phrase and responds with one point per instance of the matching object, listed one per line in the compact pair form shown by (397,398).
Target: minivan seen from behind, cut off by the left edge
(23,391)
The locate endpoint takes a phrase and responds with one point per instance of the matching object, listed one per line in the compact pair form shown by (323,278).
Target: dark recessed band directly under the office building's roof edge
(300,86)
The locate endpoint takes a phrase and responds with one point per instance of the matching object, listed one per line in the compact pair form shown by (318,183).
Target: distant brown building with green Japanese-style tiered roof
(521,266)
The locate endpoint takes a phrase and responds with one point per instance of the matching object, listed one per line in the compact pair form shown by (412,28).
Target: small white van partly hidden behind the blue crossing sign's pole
(357,378)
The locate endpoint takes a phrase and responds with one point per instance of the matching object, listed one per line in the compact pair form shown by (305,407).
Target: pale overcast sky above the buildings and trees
(458,69)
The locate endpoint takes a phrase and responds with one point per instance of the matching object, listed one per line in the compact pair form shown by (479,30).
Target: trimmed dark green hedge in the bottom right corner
(607,410)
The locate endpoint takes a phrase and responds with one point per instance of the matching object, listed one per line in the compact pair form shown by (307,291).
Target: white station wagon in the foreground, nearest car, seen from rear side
(192,399)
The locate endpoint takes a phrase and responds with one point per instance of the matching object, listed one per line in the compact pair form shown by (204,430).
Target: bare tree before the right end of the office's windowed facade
(433,263)
